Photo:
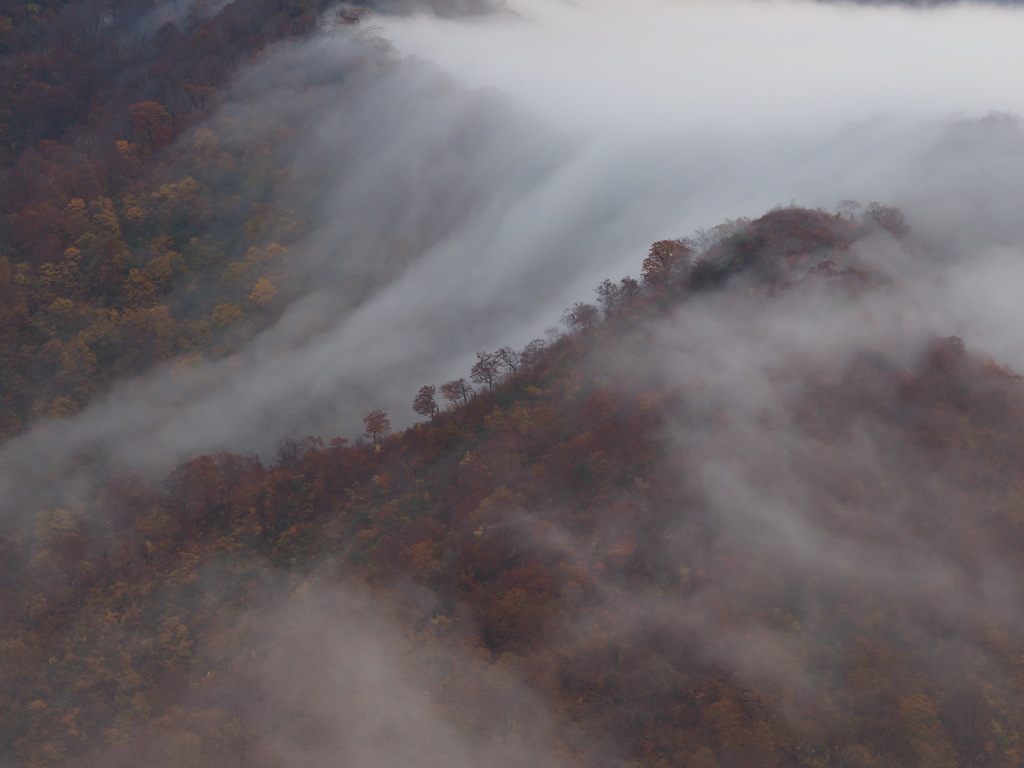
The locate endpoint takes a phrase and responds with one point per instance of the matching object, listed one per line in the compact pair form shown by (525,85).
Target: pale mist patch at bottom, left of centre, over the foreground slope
(335,662)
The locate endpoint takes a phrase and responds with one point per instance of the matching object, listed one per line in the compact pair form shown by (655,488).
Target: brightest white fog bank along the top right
(749,68)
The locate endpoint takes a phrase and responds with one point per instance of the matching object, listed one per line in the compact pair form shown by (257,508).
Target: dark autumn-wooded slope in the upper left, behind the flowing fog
(119,246)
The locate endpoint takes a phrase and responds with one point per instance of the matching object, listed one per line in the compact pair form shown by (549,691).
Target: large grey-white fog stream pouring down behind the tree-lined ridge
(480,175)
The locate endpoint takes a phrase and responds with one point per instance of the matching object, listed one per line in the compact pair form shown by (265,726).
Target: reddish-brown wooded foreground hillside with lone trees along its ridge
(604,553)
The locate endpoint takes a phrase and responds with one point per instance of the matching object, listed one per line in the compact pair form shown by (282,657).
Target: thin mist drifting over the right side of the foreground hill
(810,520)
